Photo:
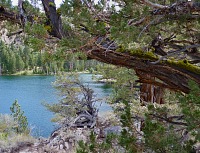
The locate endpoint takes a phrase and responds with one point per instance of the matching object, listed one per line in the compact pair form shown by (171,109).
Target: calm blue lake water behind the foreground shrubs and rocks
(30,91)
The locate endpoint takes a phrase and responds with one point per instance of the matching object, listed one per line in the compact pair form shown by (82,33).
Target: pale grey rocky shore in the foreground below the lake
(66,138)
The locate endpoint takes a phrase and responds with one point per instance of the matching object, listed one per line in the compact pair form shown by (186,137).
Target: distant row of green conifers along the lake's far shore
(16,59)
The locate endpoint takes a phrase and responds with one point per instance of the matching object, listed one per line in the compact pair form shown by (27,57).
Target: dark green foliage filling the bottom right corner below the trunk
(162,136)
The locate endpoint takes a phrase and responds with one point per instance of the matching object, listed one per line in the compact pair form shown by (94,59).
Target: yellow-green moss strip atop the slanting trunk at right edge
(185,65)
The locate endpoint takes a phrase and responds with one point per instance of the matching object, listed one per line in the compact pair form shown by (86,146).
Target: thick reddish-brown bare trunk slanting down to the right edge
(166,75)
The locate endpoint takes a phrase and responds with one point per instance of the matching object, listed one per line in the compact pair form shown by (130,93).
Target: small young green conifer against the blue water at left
(18,115)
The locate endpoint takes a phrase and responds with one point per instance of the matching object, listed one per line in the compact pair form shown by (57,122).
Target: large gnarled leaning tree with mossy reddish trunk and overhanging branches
(160,40)
